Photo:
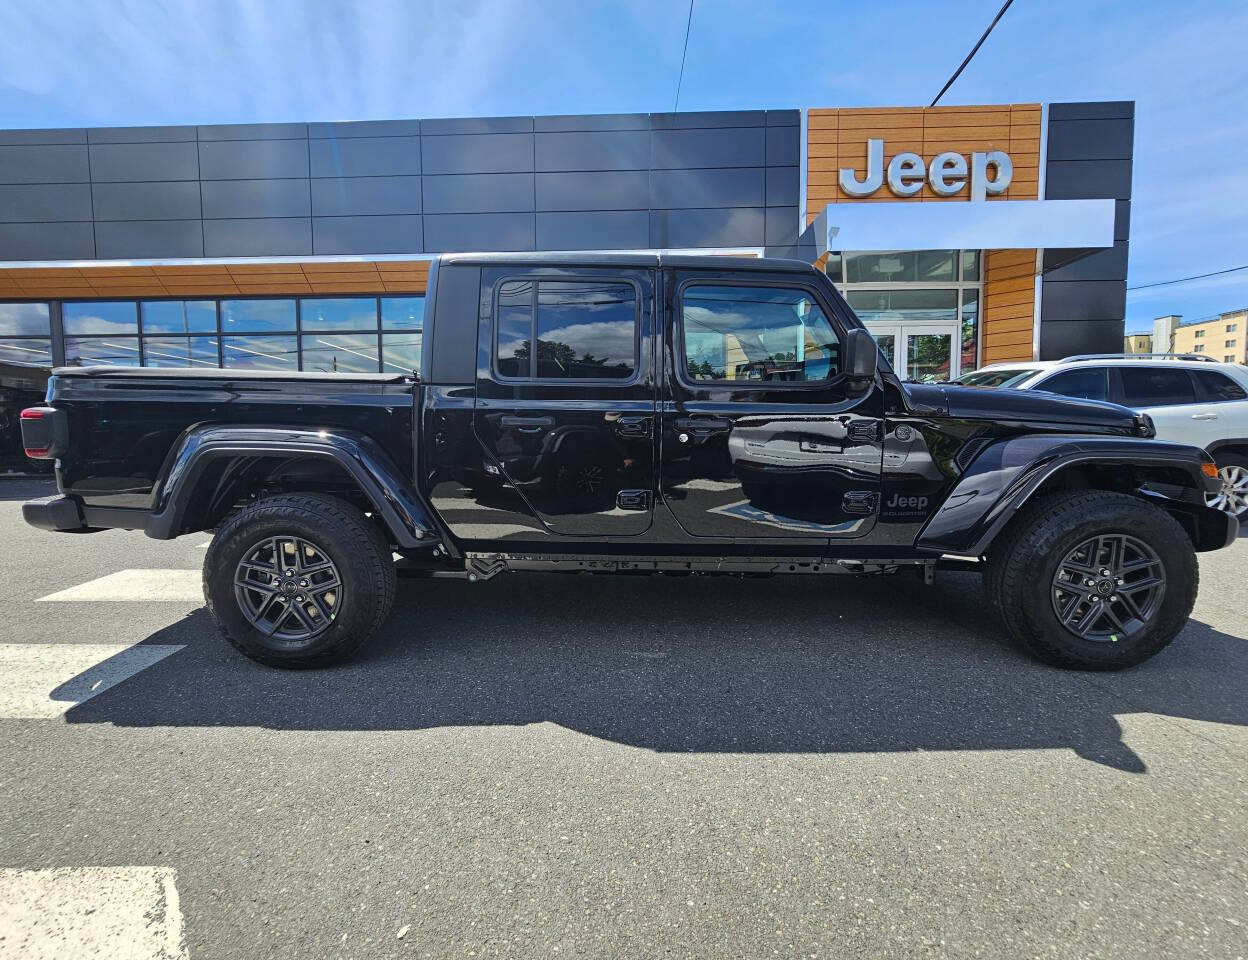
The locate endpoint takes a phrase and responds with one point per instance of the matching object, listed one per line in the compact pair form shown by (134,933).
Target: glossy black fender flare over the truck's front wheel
(1007,475)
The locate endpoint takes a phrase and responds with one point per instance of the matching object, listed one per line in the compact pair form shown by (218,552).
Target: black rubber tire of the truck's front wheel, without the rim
(1025,557)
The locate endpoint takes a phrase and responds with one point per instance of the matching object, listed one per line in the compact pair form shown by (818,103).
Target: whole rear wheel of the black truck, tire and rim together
(299,581)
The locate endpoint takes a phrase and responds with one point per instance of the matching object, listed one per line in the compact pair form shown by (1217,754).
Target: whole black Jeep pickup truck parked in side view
(632,414)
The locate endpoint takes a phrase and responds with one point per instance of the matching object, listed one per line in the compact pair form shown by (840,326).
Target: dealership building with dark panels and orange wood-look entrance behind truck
(963,235)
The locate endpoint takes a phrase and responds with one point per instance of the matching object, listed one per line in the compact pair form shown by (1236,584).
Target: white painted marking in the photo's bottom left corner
(122,913)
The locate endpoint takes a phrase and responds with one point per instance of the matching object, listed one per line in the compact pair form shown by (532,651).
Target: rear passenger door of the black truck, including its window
(570,425)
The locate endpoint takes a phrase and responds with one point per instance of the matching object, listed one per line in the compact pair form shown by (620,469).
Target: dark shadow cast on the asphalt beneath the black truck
(822,665)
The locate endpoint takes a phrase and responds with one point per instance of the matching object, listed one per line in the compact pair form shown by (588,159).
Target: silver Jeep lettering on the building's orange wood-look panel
(948,174)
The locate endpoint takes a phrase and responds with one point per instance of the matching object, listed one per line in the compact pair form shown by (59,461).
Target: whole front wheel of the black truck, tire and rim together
(1093,581)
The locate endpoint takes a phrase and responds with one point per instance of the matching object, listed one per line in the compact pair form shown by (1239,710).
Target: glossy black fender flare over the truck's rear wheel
(361,458)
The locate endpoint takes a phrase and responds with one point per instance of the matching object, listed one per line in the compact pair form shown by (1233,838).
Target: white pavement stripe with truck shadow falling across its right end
(43,681)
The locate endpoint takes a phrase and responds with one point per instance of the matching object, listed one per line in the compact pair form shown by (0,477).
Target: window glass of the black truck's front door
(757,334)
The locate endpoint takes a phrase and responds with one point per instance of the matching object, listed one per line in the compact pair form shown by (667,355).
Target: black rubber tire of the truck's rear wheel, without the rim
(354,544)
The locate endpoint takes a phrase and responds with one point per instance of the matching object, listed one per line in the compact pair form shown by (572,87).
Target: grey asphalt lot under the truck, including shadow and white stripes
(628,768)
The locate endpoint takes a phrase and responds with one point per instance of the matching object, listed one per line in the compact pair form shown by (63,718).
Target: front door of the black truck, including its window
(762,435)
